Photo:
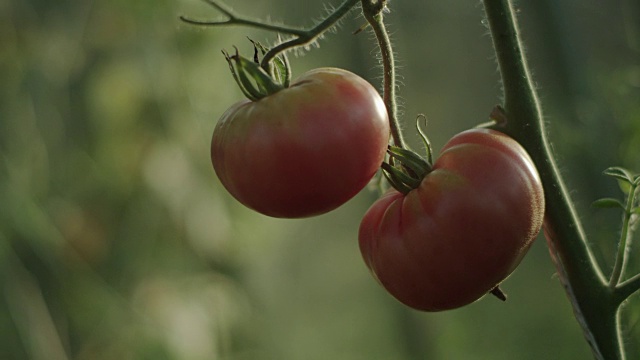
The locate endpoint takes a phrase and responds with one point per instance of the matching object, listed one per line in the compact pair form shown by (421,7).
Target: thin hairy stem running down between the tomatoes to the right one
(373,12)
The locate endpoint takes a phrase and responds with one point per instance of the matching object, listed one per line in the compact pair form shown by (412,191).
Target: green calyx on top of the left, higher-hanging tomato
(254,81)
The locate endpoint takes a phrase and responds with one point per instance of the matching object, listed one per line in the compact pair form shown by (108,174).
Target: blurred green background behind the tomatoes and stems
(118,242)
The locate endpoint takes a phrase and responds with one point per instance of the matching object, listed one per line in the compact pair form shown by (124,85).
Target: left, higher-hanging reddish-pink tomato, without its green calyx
(304,150)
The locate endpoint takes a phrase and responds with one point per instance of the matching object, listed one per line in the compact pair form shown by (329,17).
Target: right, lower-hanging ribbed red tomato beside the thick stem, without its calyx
(463,230)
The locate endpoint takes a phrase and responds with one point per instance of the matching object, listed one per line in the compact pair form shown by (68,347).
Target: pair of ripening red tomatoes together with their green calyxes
(451,232)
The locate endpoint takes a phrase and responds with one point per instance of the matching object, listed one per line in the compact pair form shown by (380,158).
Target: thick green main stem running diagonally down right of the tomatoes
(584,282)
